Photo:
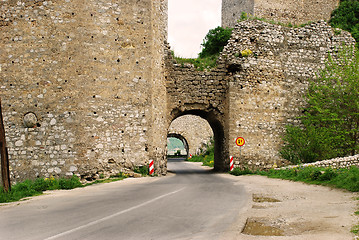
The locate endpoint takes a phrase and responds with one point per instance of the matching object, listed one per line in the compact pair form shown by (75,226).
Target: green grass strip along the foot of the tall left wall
(30,188)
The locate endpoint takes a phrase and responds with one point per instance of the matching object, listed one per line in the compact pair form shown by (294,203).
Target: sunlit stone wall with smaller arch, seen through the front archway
(195,130)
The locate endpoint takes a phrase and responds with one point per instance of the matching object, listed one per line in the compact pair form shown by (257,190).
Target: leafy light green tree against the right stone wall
(330,124)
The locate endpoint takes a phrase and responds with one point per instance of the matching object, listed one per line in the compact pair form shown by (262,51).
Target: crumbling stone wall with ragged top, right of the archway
(270,66)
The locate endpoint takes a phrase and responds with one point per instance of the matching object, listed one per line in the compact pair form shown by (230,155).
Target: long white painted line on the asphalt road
(113,215)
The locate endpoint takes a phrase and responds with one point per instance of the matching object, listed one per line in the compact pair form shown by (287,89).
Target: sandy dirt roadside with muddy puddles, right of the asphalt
(281,209)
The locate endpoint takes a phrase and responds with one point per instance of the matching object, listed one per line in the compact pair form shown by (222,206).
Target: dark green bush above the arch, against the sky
(215,41)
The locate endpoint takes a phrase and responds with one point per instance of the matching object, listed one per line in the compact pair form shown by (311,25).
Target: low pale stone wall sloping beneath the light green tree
(341,162)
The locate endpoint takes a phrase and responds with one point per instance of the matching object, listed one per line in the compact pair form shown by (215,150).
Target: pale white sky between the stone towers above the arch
(188,23)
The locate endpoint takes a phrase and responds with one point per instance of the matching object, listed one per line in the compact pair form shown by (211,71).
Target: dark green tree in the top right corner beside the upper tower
(346,17)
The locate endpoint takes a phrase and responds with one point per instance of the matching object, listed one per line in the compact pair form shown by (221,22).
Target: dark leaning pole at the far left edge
(5,171)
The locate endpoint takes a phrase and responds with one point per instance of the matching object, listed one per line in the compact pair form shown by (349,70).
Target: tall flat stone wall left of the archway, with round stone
(82,85)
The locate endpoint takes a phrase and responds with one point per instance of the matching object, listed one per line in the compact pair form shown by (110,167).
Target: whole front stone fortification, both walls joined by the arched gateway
(88,87)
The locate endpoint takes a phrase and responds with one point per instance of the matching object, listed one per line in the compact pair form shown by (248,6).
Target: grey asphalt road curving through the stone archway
(191,203)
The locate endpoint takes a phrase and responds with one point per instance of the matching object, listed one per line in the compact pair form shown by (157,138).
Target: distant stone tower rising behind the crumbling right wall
(295,11)
